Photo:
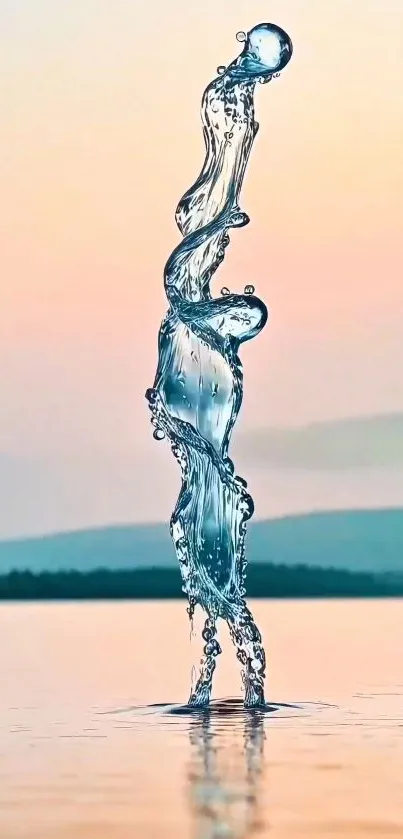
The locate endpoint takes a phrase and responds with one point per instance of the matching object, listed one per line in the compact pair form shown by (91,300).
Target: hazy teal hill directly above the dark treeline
(358,541)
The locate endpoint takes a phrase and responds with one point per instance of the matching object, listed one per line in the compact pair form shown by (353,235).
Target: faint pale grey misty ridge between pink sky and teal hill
(329,465)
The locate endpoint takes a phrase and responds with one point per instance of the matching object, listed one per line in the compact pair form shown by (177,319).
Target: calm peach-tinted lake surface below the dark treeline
(93,744)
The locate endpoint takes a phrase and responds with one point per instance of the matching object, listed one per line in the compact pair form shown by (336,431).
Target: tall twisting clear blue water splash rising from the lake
(198,387)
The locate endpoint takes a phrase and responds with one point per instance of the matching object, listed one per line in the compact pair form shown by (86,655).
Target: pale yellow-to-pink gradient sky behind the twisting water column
(100,136)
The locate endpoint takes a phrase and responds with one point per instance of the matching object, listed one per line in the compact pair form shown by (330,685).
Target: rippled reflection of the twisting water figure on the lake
(225,772)
